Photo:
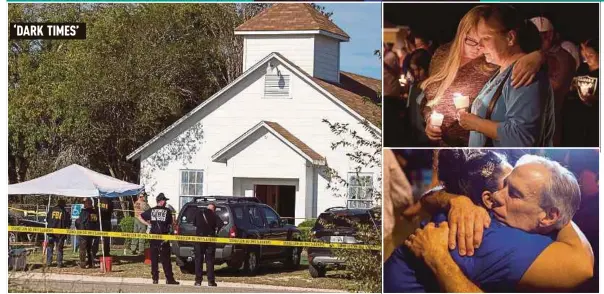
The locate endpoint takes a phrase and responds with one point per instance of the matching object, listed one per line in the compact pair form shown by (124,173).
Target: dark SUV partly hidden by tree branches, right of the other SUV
(336,225)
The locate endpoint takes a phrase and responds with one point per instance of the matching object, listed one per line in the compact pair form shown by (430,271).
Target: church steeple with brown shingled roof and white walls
(300,33)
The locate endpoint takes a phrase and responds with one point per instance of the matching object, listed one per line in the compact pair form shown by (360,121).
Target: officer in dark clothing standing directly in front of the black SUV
(207,225)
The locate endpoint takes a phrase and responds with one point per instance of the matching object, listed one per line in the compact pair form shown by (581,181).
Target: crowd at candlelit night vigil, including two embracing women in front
(505,80)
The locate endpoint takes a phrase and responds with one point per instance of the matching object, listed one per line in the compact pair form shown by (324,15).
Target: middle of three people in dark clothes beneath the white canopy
(88,220)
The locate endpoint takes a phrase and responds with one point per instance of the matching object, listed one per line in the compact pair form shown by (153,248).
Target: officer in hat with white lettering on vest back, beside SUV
(159,220)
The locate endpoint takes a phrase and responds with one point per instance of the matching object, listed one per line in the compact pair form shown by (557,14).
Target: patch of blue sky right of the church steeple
(363,23)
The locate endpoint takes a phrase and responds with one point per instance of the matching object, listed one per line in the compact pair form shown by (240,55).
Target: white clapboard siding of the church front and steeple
(264,159)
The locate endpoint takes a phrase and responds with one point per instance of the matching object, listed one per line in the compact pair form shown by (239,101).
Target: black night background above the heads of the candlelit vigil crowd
(574,21)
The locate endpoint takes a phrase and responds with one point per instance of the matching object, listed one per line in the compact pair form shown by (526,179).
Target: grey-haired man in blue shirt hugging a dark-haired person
(537,202)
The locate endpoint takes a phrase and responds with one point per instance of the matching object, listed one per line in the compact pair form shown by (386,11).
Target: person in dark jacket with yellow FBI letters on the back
(57,218)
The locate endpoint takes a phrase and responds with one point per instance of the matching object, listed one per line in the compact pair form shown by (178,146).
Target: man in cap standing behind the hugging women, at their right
(560,69)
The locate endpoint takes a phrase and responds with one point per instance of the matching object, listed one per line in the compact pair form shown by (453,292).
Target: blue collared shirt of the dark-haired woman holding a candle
(525,115)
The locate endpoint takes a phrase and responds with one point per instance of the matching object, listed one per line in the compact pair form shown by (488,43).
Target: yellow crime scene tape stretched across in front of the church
(192,238)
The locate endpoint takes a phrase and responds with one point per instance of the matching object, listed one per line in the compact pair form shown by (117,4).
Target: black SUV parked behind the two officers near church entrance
(242,217)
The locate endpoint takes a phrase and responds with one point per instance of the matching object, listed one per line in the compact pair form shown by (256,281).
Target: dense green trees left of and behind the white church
(92,102)
